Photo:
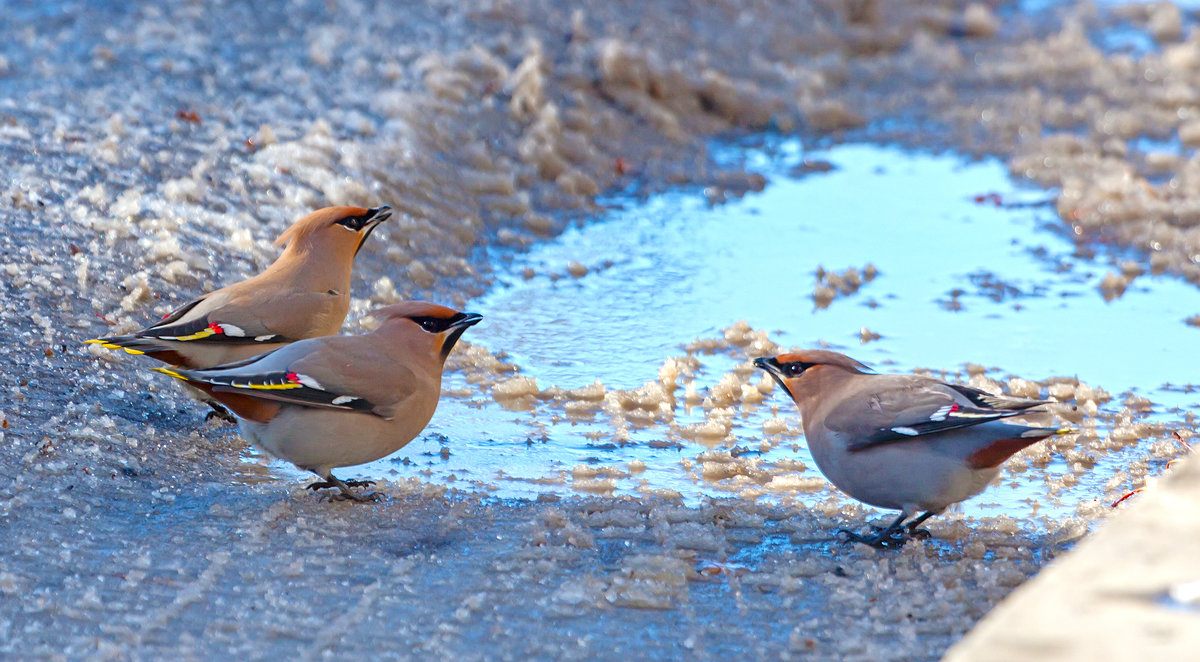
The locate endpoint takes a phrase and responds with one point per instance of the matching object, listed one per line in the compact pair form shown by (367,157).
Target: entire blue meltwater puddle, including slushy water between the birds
(971,268)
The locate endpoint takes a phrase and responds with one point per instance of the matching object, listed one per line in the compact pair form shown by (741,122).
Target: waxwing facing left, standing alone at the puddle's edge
(901,442)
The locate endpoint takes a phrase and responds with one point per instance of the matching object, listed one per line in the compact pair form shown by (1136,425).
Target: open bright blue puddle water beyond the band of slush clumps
(682,270)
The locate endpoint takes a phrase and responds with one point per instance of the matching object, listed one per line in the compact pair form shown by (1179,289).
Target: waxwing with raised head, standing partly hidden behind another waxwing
(304,294)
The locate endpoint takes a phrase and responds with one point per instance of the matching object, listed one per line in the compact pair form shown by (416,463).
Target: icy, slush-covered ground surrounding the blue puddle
(154,152)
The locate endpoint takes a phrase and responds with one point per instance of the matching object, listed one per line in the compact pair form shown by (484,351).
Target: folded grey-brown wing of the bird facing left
(896,411)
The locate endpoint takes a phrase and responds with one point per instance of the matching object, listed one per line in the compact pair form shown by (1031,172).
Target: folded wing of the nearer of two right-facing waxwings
(328,374)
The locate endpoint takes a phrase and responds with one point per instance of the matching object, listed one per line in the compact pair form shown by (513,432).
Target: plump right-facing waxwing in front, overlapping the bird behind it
(341,401)
